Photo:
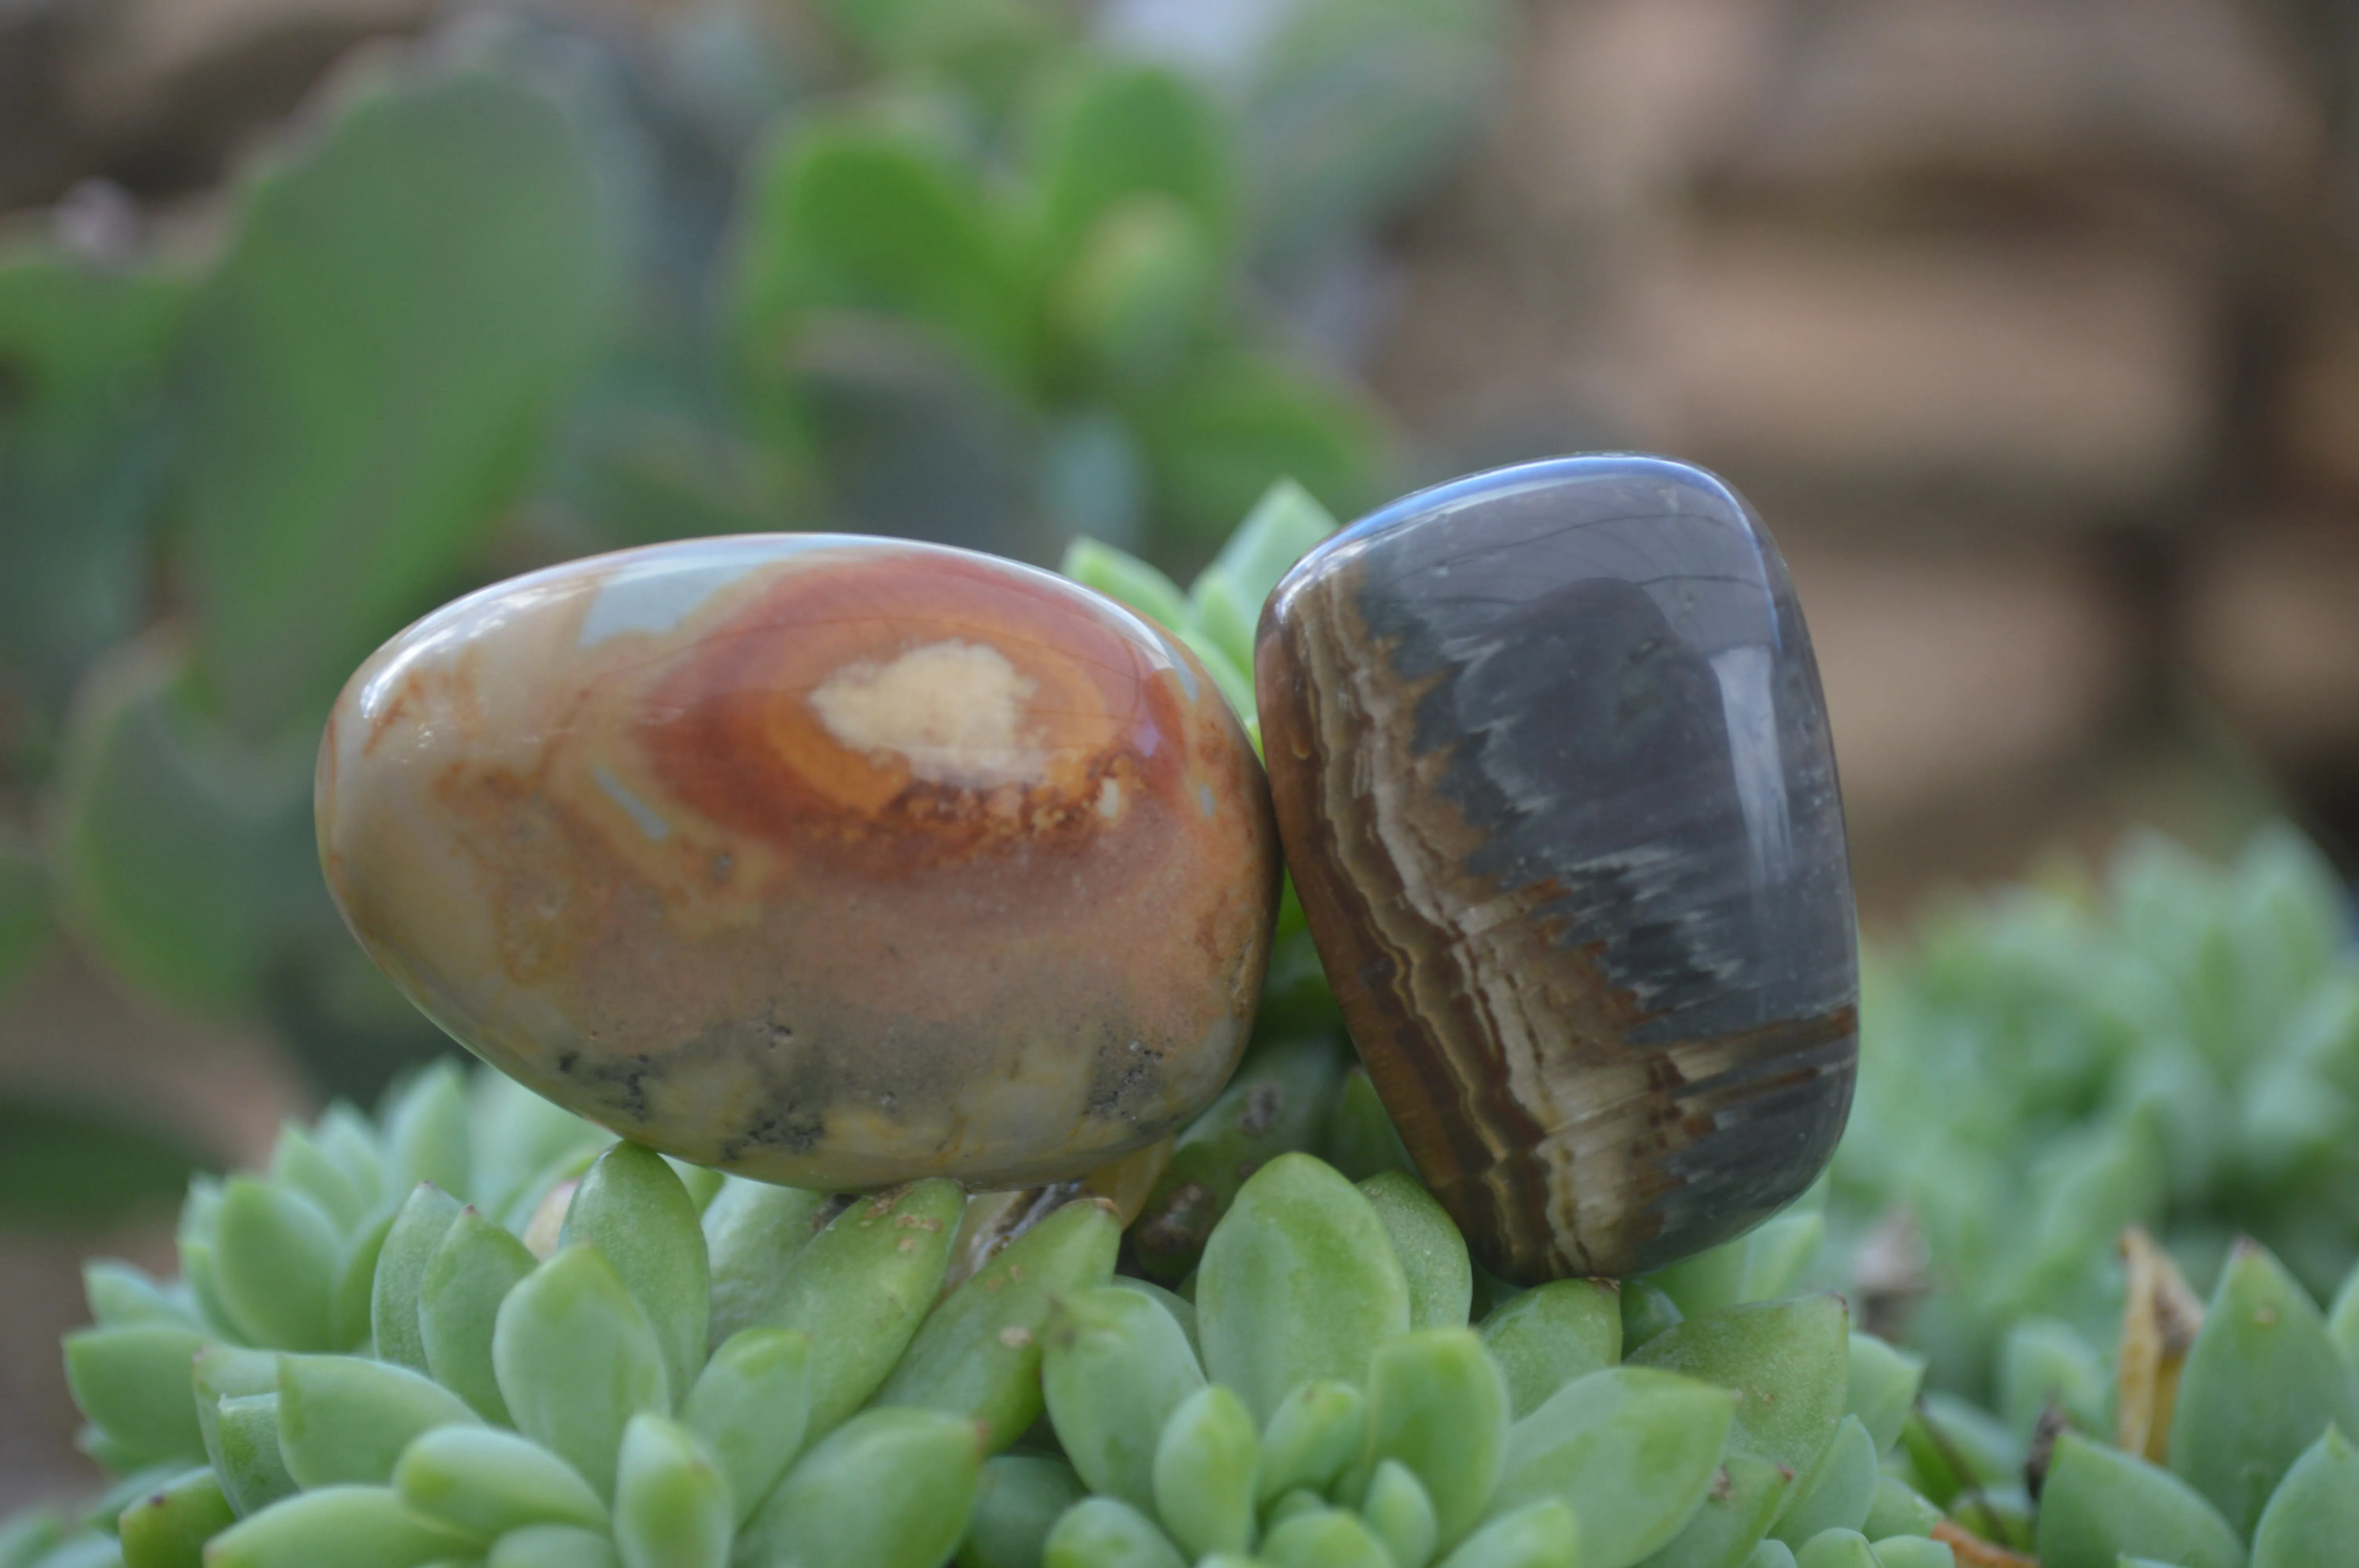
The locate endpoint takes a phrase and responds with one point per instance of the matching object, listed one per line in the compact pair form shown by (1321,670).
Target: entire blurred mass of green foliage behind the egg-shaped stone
(515,294)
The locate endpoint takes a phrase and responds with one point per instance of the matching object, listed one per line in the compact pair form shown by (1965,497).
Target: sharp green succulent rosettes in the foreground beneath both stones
(612,1364)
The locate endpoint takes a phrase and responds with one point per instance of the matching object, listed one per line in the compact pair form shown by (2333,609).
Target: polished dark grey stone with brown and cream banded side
(1553,777)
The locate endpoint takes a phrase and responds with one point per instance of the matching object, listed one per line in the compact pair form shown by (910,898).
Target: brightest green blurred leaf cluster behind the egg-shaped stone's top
(1091,277)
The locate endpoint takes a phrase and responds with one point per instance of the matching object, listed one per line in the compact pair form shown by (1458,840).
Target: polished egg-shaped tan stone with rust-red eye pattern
(829,862)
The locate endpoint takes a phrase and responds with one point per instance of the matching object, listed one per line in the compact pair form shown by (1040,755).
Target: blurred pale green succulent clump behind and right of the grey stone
(2176,1050)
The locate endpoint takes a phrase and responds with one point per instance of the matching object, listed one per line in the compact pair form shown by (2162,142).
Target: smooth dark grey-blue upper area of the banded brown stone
(1634,718)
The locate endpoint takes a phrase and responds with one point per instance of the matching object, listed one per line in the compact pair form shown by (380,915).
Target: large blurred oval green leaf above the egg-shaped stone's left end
(372,371)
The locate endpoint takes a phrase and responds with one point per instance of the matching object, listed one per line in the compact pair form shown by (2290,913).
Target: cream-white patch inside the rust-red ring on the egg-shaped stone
(954,711)
